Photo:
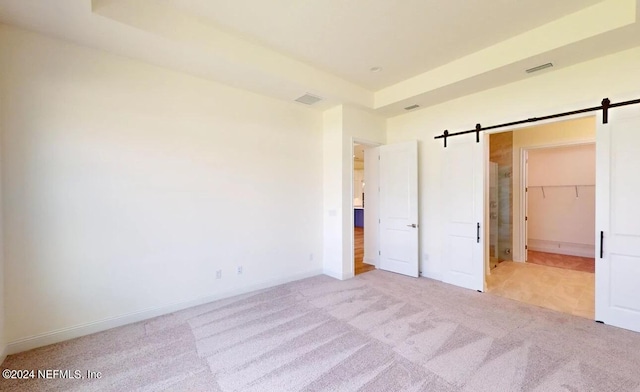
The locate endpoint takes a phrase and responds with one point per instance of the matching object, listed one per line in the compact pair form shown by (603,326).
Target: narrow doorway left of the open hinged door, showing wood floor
(360,264)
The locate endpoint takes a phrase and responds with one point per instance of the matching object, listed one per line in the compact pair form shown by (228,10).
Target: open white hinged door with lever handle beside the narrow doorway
(399,208)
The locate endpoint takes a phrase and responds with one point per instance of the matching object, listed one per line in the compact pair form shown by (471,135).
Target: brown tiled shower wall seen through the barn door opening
(501,152)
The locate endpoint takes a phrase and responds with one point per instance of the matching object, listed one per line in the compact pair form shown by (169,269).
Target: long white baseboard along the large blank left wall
(77,331)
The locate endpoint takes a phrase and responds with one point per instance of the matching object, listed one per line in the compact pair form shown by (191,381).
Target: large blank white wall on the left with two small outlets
(127,186)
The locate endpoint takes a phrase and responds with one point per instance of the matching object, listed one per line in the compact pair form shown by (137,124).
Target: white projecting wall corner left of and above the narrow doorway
(342,126)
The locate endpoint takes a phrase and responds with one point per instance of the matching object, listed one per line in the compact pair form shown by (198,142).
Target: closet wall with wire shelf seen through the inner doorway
(559,221)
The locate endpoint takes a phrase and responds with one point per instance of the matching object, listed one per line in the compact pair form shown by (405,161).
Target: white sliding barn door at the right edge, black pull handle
(618,219)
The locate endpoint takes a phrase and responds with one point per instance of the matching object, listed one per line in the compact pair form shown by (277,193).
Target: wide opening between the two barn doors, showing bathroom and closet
(542,216)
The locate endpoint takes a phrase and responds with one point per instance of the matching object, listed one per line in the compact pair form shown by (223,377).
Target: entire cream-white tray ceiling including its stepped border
(431,51)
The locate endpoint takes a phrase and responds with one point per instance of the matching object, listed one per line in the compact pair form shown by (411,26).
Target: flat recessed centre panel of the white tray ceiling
(405,37)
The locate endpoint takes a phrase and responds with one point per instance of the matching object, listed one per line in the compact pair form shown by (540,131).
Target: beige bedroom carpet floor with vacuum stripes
(376,332)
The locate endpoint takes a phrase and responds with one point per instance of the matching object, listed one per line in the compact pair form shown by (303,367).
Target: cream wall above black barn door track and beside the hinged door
(575,87)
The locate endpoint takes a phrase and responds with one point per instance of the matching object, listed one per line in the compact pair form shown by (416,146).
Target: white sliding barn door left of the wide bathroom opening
(463,206)
